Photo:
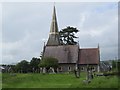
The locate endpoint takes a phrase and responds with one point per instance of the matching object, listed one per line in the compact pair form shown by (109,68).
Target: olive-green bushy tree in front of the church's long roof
(48,62)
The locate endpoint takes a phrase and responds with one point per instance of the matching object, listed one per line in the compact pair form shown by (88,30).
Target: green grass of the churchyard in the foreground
(56,81)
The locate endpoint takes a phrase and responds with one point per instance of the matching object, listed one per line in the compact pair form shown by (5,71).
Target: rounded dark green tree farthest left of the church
(23,66)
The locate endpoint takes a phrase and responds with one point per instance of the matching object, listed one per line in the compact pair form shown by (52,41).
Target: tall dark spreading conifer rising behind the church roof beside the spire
(67,36)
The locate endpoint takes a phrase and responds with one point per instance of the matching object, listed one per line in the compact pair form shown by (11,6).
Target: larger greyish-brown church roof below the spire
(64,53)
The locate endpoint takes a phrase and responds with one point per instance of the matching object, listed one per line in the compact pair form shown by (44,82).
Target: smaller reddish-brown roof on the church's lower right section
(89,56)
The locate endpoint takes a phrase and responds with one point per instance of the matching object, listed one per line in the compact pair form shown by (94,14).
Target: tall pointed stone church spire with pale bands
(53,39)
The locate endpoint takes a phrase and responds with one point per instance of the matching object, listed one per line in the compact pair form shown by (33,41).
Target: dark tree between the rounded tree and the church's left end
(34,64)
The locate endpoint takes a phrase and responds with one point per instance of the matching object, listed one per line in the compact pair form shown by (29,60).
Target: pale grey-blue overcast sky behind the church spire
(26,26)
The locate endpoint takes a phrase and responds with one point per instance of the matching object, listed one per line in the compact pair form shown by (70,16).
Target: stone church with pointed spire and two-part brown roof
(69,57)
